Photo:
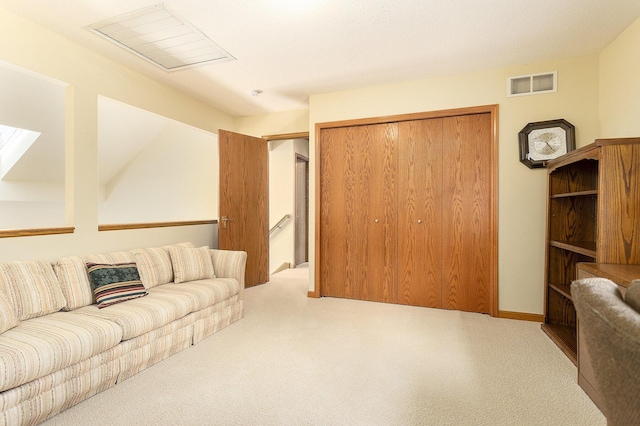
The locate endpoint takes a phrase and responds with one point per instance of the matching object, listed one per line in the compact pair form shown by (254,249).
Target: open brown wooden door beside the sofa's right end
(244,198)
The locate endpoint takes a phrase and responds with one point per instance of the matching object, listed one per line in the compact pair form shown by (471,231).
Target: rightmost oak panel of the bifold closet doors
(467,231)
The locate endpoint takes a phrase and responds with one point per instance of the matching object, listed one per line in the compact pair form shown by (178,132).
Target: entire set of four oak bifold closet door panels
(405,212)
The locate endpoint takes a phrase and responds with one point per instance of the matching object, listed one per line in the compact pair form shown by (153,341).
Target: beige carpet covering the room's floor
(299,361)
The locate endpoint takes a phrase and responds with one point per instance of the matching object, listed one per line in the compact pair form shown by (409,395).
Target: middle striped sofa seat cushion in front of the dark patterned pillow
(144,314)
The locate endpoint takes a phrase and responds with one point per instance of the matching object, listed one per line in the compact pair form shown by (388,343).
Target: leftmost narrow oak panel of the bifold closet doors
(338,214)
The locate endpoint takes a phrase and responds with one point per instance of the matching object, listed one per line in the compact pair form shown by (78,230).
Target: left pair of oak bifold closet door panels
(358,212)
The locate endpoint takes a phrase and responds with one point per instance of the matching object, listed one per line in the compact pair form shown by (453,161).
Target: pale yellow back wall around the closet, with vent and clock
(522,191)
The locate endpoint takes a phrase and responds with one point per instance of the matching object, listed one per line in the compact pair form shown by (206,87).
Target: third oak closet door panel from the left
(420,212)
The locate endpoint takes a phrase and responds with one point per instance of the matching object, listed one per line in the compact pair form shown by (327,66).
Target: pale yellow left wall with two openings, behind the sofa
(89,75)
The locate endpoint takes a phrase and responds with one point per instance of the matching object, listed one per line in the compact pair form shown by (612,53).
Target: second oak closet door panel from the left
(377,219)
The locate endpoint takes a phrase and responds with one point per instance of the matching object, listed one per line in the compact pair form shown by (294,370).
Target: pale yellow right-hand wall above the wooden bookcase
(620,85)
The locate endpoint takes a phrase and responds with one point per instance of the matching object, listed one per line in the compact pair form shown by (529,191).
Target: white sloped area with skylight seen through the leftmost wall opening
(32,170)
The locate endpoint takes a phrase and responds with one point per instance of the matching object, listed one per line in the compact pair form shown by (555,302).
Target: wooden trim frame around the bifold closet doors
(492,166)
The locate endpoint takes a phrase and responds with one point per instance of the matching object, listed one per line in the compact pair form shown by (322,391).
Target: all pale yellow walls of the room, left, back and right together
(592,90)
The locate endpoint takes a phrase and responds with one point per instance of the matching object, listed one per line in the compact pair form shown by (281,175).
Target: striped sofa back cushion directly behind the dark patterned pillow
(74,280)
